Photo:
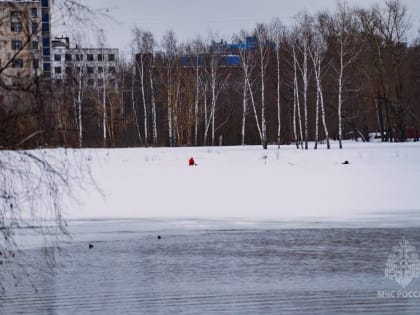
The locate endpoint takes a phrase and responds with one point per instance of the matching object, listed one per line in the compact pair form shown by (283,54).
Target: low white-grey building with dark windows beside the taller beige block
(95,66)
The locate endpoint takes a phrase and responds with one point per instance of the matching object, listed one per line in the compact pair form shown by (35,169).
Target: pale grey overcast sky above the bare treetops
(189,18)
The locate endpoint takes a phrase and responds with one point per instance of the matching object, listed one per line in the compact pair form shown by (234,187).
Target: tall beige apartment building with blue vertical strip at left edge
(24,40)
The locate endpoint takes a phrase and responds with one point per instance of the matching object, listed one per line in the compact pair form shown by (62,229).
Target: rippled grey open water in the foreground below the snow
(215,267)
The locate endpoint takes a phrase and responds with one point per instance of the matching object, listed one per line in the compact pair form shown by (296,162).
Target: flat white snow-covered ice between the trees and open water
(238,182)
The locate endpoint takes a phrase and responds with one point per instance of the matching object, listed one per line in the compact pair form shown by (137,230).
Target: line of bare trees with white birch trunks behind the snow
(339,75)
